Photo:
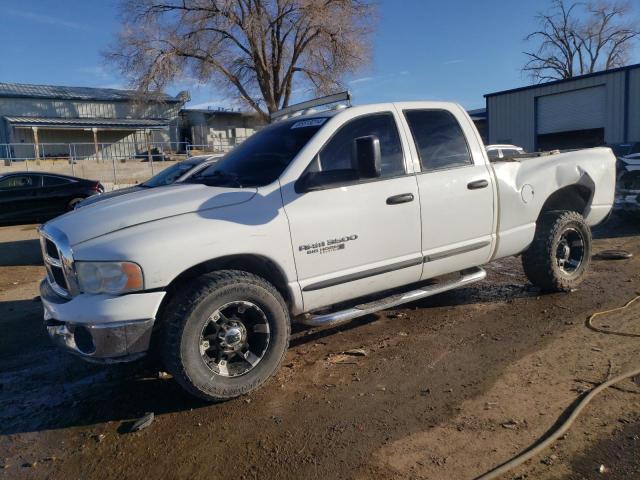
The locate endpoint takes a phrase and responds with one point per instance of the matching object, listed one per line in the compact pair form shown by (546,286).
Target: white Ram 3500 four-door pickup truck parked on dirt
(318,218)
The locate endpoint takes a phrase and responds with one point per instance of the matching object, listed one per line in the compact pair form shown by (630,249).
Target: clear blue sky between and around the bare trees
(423,49)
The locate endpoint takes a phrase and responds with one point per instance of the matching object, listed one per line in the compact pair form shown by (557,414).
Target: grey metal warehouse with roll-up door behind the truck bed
(585,111)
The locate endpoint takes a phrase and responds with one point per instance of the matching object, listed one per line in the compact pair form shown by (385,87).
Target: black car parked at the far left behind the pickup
(39,196)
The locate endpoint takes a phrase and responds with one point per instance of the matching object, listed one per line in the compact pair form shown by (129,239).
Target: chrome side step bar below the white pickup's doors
(466,277)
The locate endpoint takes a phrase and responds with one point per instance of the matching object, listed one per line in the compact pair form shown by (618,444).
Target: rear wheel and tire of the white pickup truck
(547,263)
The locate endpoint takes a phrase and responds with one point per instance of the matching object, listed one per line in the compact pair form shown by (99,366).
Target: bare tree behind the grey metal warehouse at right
(578,38)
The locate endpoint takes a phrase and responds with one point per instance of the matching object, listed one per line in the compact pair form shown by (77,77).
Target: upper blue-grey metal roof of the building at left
(76,93)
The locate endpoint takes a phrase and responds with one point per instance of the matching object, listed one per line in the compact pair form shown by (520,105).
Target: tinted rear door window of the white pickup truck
(439,139)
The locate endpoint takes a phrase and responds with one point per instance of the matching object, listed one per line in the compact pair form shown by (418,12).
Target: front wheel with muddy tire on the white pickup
(199,350)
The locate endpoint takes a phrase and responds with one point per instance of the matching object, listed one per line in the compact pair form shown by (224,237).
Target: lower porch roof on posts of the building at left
(113,123)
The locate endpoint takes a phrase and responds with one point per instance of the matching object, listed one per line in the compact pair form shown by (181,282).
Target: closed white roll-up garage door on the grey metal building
(576,110)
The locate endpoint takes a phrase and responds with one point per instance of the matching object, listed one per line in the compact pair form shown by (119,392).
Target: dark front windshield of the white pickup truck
(261,158)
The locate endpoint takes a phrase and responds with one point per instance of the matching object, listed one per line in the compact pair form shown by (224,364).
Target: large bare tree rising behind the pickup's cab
(258,51)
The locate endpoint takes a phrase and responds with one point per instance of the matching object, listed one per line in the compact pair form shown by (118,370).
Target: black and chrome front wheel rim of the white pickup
(234,339)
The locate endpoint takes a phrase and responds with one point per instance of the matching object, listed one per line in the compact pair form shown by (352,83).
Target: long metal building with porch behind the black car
(42,121)
